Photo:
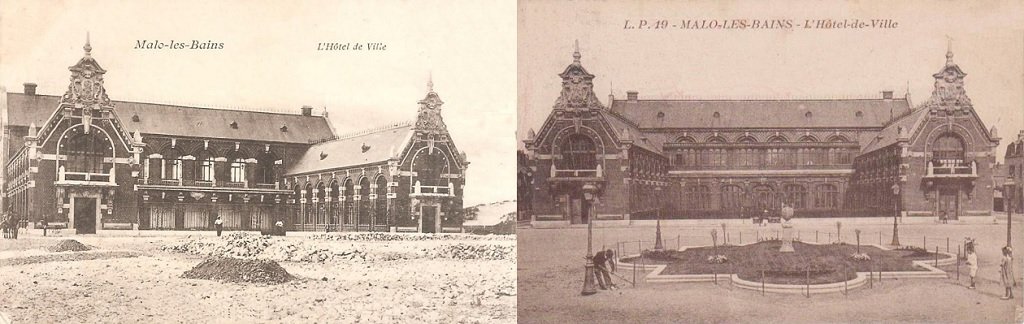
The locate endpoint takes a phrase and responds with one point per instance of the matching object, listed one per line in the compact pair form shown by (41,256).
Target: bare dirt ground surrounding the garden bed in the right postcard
(551,272)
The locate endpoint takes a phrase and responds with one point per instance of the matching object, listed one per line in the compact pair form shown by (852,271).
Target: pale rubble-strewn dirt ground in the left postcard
(150,289)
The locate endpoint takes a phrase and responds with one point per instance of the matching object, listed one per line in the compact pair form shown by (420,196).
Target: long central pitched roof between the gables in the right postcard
(761,113)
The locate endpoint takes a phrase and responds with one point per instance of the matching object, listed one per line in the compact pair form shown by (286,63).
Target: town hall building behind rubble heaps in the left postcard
(87,163)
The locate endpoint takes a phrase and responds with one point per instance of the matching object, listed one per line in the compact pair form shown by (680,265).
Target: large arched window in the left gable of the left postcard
(87,153)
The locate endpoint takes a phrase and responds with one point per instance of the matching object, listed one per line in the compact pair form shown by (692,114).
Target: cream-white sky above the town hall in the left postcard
(270,62)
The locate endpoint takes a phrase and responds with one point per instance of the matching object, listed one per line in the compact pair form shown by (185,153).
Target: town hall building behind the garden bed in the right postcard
(635,158)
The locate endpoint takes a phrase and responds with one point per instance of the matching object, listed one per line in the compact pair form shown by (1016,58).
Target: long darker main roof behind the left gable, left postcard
(186,121)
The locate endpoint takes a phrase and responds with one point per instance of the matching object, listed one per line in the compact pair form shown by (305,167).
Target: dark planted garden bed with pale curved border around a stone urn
(827,264)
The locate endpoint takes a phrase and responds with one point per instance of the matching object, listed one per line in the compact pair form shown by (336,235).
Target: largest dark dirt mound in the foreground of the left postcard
(238,270)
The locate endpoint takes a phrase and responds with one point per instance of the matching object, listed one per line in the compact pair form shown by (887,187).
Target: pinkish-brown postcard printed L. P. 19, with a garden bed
(783,161)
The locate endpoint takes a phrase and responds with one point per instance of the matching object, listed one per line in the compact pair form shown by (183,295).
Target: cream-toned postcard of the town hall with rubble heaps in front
(258,163)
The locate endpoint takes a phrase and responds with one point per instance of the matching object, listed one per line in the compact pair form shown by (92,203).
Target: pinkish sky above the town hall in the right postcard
(988,43)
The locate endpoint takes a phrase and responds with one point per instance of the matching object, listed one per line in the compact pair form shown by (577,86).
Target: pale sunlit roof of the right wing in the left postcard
(369,147)
